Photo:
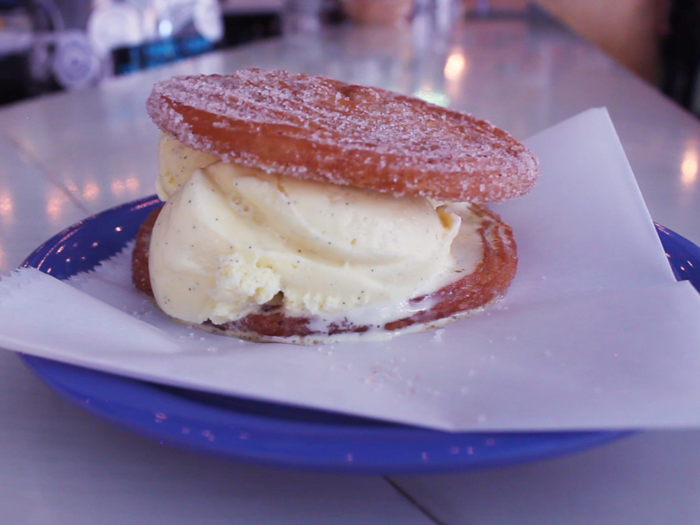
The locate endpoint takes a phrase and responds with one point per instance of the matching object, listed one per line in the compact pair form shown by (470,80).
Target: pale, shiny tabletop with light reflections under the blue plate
(66,156)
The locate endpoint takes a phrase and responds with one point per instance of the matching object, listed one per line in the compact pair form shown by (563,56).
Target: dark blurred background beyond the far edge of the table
(50,45)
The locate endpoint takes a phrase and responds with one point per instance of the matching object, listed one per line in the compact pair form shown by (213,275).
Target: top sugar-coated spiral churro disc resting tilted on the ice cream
(312,127)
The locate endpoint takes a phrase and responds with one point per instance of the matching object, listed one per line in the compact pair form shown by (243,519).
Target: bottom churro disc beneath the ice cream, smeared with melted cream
(466,296)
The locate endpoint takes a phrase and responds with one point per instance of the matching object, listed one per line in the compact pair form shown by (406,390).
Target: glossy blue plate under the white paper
(274,433)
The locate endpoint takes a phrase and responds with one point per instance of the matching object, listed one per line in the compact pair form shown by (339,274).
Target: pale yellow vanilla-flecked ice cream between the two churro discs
(231,239)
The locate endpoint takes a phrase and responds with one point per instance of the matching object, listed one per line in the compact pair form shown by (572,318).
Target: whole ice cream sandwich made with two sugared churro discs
(303,209)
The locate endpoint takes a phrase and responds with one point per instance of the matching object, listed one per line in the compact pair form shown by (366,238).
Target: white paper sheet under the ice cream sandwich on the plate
(594,333)
